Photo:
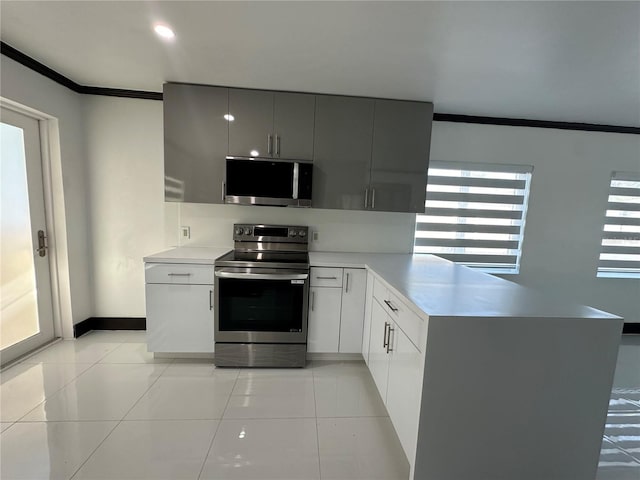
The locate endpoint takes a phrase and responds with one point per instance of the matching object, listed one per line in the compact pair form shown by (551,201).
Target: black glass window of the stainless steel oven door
(260,305)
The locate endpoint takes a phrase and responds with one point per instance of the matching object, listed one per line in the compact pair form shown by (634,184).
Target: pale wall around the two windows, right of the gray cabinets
(569,190)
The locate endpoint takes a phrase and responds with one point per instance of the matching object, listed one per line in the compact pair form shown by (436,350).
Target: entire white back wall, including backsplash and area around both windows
(562,239)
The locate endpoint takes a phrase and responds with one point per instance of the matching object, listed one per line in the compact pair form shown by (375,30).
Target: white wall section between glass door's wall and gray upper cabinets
(126,193)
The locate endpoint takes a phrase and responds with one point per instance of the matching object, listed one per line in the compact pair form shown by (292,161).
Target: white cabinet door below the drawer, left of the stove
(179,318)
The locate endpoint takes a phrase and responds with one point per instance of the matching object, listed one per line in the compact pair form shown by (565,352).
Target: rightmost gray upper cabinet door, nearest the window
(400,155)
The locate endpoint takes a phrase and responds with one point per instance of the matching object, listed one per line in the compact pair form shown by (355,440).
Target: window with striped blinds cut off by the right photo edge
(620,252)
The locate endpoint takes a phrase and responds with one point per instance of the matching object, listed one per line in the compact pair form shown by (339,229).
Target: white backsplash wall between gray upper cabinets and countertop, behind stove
(337,230)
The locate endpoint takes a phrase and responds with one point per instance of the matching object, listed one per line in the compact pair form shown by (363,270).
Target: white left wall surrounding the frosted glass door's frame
(33,90)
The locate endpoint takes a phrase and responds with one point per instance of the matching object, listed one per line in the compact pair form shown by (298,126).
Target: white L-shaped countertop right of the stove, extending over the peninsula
(441,288)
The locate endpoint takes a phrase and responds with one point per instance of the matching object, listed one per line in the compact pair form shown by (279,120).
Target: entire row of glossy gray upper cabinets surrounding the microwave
(368,154)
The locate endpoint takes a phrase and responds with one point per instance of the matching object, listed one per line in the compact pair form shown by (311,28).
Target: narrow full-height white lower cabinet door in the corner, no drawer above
(354,286)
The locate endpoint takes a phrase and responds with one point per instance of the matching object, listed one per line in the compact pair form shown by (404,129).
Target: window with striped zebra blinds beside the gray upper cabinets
(475,214)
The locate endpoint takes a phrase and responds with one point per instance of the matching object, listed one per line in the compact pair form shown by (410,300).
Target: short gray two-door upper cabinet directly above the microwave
(271,124)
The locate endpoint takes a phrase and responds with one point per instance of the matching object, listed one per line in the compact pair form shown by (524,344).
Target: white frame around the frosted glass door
(54,215)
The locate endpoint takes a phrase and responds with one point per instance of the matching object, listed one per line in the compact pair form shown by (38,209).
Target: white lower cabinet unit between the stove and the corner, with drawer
(336,310)
